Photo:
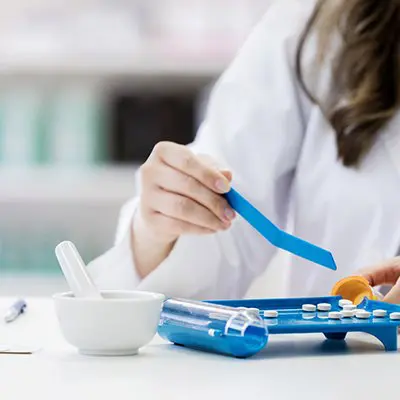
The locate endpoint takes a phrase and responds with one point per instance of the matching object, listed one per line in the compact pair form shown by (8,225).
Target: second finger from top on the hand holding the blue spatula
(176,182)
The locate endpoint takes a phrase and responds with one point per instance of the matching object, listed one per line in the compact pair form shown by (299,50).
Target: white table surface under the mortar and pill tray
(291,367)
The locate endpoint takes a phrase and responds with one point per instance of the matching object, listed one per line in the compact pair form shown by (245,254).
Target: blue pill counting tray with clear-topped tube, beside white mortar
(238,327)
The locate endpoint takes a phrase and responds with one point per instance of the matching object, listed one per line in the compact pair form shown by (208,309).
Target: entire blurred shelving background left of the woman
(87,87)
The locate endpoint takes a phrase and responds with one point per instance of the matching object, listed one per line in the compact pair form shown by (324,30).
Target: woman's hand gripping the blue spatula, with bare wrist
(181,194)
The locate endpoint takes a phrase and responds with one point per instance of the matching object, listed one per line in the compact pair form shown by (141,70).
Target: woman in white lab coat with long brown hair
(305,124)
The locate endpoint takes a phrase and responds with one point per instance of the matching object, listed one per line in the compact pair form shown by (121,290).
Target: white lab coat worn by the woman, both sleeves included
(283,156)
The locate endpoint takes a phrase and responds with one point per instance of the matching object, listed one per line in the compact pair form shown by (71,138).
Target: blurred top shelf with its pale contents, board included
(135,38)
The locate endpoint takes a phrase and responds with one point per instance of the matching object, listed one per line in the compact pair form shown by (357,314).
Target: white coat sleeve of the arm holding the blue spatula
(255,126)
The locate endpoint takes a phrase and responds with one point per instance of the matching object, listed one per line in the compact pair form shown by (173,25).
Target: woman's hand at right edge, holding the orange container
(387,273)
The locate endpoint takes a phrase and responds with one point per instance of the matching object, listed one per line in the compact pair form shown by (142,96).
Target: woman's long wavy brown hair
(365,71)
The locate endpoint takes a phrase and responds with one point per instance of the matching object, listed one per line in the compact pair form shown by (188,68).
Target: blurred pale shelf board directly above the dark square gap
(146,64)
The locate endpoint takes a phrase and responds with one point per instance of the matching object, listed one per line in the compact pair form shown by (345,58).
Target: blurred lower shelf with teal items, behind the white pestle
(40,207)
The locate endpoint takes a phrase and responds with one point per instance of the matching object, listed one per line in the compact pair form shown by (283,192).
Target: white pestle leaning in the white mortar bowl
(75,273)
